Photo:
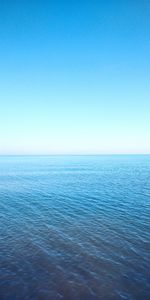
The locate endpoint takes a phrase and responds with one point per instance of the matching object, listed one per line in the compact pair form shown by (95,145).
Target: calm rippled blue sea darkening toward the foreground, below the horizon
(75,227)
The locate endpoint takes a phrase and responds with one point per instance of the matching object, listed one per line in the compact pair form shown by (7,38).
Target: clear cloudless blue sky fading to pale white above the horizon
(74,77)
